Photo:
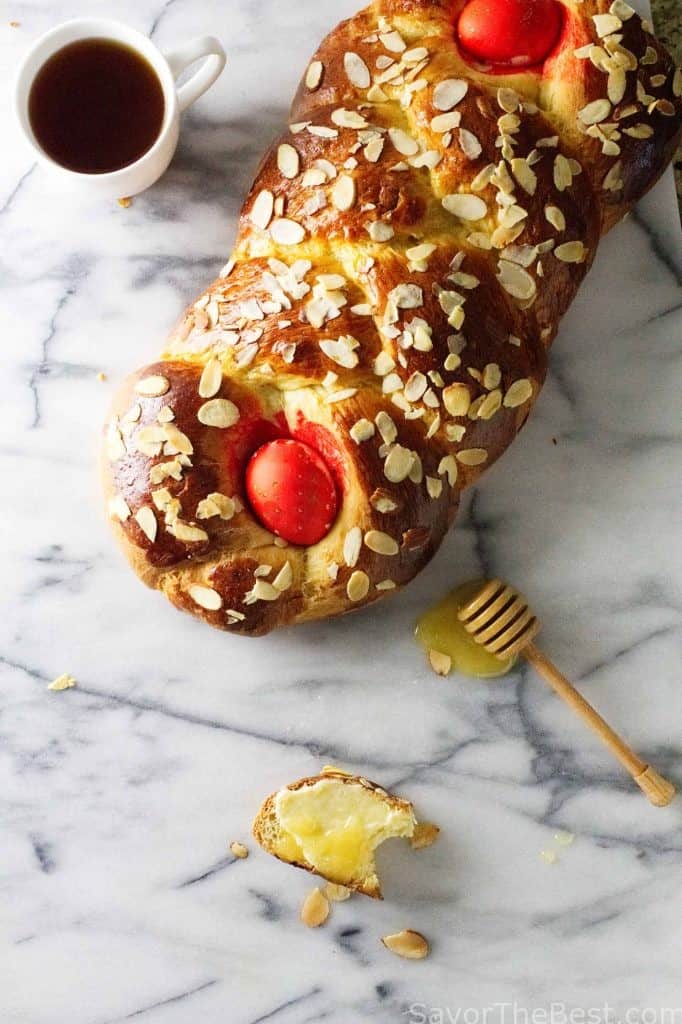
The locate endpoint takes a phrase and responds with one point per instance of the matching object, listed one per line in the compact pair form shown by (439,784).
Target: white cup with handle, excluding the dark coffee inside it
(149,168)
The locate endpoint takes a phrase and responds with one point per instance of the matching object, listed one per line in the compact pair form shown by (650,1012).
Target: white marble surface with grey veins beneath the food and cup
(118,799)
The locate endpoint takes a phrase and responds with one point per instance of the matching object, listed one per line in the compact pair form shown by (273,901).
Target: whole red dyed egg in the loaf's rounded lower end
(292,491)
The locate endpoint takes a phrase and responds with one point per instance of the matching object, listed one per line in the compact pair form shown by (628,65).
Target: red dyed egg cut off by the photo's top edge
(510,32)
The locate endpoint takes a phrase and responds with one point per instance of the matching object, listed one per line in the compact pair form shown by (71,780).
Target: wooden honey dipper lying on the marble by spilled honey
(499,619)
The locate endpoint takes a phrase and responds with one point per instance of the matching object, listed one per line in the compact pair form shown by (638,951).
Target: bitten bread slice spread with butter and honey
(331,825)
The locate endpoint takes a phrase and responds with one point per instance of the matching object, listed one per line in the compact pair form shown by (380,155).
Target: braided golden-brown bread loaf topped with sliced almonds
(404,260)
